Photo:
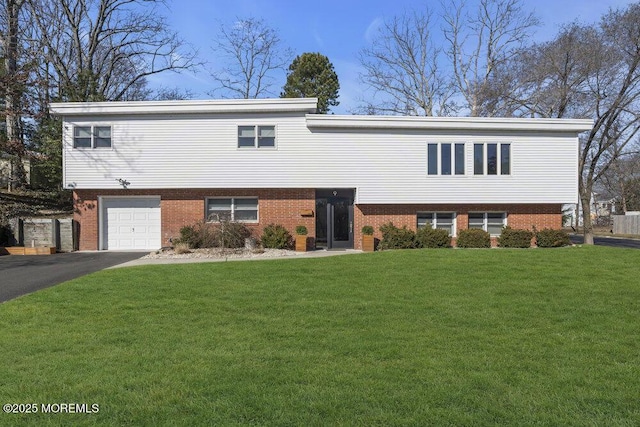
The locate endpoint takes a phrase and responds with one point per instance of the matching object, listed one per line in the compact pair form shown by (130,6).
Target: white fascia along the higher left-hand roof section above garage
(276,105)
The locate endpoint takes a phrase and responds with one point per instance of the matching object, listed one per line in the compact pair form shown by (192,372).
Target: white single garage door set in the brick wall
(131,223)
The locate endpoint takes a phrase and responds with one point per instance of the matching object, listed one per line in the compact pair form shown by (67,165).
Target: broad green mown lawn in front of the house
(420,337)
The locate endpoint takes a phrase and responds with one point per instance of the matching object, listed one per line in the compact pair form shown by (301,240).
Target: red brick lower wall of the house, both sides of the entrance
(283,206)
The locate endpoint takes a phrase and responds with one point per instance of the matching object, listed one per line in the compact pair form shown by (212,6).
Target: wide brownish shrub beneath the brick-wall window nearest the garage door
(224,234)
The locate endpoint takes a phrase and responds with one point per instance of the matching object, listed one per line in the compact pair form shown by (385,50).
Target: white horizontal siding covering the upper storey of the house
(384,165)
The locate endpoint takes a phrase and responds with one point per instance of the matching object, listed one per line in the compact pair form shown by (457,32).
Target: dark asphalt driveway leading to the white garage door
(21,275)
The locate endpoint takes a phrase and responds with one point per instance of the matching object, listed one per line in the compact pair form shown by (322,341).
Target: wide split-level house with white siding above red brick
(142,170)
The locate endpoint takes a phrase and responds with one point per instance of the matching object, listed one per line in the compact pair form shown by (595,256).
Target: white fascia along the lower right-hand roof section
(448,123)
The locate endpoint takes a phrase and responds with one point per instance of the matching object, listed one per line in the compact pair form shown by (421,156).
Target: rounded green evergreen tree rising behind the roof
(312,75)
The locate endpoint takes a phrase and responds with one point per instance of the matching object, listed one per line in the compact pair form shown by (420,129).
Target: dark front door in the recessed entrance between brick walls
(334,222)
